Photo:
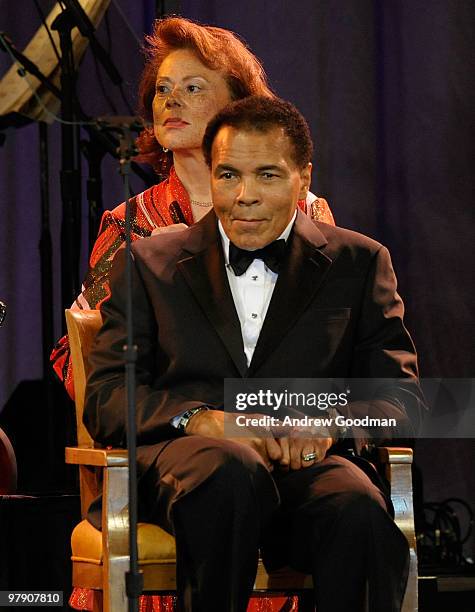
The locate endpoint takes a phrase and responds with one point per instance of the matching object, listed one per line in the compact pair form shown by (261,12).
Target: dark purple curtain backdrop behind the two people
(388,90)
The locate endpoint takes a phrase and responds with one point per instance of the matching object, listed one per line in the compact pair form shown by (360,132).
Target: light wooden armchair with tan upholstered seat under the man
(100,559)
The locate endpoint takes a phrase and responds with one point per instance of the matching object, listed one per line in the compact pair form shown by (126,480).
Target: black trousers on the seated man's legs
(222,504)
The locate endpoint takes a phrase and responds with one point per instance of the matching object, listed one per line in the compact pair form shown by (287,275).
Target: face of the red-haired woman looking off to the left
(187,96)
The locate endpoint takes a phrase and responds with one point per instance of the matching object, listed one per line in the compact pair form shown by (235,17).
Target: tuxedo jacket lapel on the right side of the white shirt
(298,282)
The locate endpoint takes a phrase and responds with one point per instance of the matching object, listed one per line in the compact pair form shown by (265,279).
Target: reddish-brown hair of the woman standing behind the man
(217,48)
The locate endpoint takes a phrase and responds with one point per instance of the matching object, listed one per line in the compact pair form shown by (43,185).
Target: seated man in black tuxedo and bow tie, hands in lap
(220,300)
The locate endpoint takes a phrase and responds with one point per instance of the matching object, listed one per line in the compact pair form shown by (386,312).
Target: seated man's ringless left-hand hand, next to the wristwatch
(219,424)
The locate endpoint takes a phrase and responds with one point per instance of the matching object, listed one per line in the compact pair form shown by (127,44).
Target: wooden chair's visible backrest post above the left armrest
(83,326)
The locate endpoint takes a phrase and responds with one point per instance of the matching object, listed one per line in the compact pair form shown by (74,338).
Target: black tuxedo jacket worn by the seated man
(335,312)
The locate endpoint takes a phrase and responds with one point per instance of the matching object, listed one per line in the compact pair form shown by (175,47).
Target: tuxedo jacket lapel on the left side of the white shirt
(204,271)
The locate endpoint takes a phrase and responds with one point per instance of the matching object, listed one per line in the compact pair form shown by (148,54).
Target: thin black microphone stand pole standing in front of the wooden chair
(134,577)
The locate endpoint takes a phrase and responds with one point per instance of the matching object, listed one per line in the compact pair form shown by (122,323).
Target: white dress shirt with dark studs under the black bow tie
(252,292)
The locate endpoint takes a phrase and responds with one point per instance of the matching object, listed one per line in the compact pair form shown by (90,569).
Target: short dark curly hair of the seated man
(261,114)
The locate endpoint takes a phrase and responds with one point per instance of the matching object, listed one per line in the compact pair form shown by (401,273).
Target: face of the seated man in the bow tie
(255,184)
